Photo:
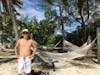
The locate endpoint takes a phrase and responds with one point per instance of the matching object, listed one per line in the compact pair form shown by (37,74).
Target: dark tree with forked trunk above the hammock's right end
(84,8)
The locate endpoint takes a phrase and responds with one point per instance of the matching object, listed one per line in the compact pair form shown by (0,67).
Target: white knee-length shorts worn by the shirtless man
(24,65)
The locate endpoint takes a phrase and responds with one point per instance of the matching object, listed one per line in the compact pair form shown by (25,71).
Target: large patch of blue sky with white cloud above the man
(30,9)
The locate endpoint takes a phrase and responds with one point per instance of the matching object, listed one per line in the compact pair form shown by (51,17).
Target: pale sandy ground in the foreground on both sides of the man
(10,68)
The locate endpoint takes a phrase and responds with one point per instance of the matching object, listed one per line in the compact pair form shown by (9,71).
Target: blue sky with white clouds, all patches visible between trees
(32,9)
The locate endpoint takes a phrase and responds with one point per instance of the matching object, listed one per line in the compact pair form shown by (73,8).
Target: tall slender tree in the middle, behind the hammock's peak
(58,3)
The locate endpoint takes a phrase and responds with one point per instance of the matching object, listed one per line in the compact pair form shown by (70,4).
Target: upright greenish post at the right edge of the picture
(98,44)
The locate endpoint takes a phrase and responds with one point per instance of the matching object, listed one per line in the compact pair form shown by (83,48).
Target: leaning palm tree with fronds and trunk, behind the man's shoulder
(8,6)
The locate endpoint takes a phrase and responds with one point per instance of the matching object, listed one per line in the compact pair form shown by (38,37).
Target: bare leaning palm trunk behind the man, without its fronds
(13,17)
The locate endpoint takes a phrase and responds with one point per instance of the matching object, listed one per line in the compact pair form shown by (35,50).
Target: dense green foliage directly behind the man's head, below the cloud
(42,31)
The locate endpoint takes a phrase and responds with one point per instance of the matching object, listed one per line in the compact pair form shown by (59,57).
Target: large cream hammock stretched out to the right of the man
(76,53)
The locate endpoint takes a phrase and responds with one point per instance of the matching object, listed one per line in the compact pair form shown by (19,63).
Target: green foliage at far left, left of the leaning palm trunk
(7,34)
